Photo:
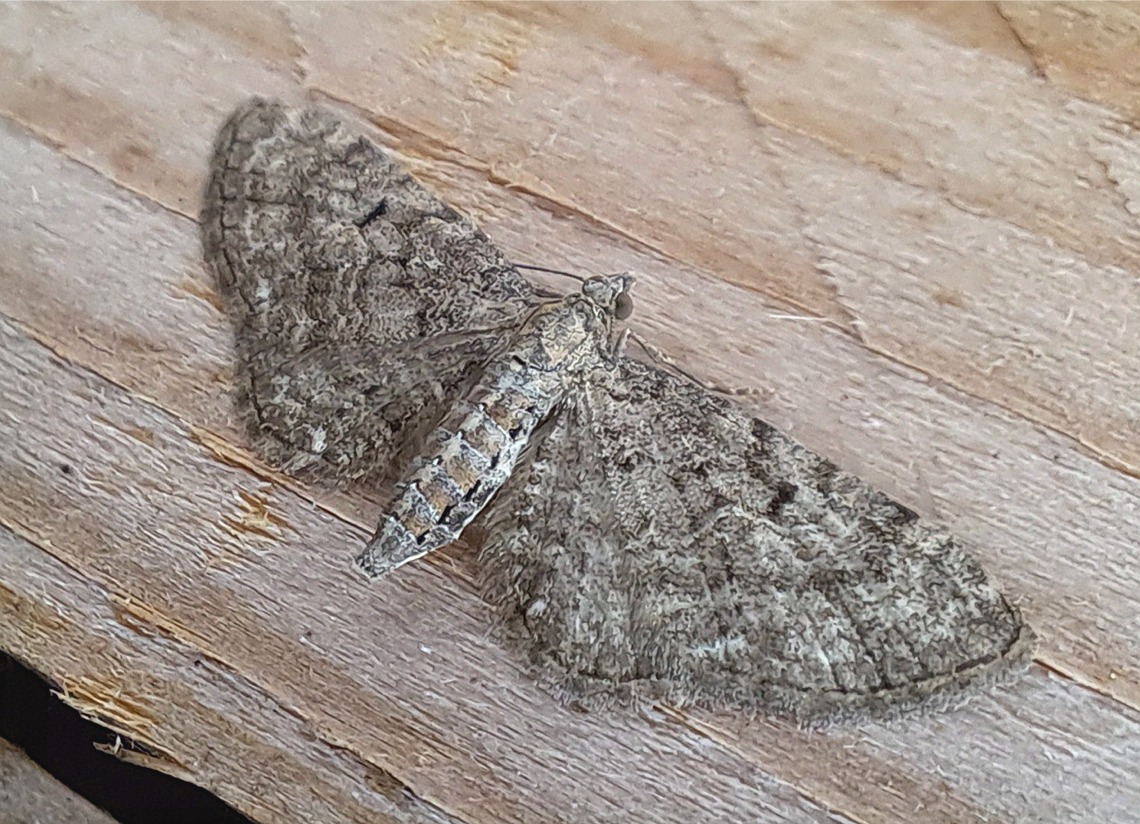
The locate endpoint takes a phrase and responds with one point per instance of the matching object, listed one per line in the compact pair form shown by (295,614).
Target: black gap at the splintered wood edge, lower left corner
(63,743)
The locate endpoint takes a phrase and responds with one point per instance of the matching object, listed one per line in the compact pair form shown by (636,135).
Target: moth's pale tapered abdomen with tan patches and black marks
(466,461)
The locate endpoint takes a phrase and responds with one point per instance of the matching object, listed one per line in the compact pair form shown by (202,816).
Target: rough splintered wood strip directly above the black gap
(188,714)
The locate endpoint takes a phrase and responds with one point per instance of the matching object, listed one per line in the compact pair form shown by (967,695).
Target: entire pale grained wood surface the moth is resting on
(914,229)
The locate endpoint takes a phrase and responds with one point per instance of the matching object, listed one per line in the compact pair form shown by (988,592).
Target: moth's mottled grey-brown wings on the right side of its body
(661,544)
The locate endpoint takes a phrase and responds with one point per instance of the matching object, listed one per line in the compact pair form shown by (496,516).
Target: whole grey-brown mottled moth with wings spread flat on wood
(646,540)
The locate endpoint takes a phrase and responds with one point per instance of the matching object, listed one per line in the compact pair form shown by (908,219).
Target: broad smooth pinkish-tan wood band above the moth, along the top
(955,227)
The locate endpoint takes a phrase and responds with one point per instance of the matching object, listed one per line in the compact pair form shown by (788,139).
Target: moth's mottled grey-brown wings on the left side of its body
(361,303)
